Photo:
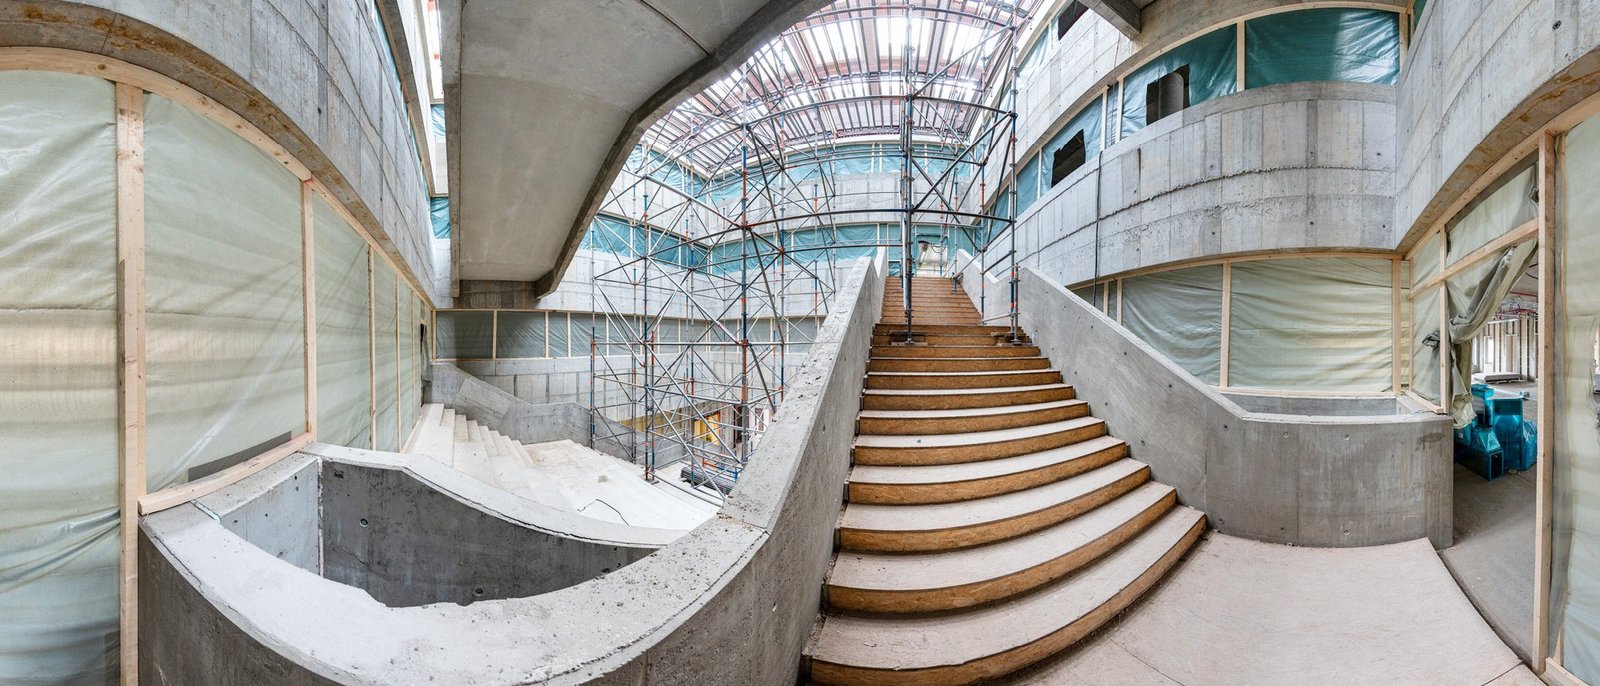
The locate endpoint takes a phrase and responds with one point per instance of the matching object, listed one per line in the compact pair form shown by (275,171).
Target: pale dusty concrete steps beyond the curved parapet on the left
(561,474)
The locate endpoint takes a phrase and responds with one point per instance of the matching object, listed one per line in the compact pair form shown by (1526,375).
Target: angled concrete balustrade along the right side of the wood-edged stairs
(1306,481)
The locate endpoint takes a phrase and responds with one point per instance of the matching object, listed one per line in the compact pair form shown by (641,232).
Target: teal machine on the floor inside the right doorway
(1498,441)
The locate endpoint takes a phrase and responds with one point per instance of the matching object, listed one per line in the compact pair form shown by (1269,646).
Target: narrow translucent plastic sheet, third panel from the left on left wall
(345,365)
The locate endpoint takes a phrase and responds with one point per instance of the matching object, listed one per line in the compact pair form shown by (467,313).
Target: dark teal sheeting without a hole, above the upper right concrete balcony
(1322,46)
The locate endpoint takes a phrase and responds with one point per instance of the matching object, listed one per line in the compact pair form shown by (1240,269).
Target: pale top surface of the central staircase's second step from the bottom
(953,568)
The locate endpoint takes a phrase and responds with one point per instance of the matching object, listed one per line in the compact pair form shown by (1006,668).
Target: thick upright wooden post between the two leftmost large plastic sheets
(130,370)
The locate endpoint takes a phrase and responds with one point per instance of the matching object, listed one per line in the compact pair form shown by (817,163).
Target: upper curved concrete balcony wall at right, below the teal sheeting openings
(1279,169)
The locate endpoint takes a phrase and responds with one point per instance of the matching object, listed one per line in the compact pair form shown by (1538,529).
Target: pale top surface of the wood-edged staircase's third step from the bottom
(950,516)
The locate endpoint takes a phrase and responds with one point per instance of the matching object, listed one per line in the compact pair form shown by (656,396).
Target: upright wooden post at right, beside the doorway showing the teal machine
(1546,412)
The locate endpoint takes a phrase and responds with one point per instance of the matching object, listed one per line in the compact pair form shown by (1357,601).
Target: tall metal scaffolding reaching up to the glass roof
(858,134)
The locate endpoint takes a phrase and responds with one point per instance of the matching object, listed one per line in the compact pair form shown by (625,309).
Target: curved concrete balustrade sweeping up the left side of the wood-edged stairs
(225,610)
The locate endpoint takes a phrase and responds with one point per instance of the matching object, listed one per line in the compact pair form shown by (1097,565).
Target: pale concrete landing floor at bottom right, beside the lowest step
(1247,613)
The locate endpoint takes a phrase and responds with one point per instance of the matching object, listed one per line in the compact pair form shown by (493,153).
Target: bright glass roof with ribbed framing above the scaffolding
(844,73)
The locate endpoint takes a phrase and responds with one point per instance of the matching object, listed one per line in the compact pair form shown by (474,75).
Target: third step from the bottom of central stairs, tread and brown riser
(985,520)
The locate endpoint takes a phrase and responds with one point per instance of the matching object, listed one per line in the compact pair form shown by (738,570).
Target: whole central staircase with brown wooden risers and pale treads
(990,522)
